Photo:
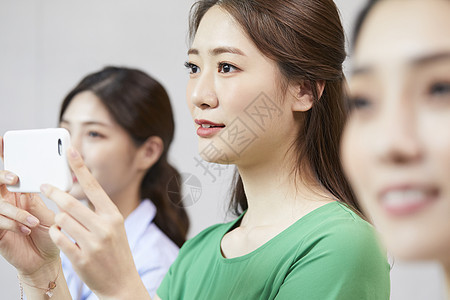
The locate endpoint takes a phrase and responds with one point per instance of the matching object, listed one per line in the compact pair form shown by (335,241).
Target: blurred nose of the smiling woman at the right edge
(399,142)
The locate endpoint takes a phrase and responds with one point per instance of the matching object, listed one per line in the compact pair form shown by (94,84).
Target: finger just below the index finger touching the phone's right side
(72,206)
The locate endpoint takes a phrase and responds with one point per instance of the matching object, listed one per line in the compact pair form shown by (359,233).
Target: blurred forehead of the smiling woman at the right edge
(397,31)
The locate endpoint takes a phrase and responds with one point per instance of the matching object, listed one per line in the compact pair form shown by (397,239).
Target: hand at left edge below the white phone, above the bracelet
(24,220)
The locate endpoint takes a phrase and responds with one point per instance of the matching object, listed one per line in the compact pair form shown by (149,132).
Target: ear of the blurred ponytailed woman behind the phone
(149,153)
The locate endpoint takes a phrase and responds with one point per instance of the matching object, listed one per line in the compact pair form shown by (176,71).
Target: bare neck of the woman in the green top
(275,195)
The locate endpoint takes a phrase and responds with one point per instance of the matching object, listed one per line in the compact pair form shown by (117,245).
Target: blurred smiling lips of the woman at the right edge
(407,200)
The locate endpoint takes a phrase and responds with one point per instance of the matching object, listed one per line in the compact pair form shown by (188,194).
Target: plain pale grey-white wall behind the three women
(47,46)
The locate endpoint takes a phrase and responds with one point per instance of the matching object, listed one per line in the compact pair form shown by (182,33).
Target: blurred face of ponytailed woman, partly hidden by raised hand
(106,148)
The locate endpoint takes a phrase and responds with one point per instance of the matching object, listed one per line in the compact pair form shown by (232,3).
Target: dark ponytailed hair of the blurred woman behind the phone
(141,106)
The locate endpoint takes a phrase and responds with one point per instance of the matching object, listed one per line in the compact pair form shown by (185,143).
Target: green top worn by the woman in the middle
(331,253)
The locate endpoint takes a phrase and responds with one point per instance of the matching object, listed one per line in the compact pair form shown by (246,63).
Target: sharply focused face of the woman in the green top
(234,95)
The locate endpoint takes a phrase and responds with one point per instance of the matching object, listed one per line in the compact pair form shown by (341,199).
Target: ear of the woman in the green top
(303,95)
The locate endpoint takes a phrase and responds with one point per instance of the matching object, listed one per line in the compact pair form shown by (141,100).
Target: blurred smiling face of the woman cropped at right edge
(396,145)
